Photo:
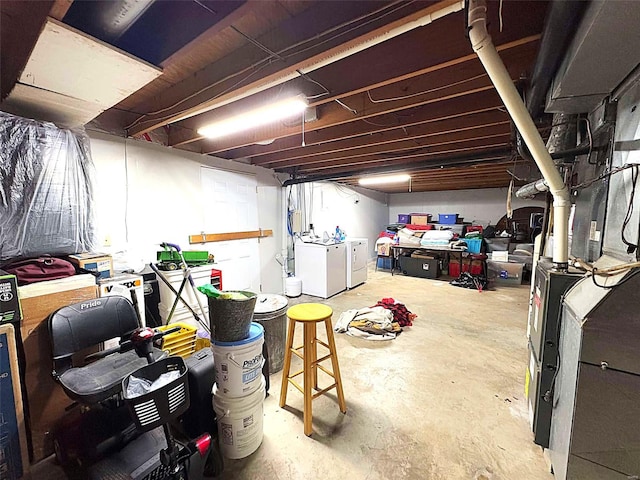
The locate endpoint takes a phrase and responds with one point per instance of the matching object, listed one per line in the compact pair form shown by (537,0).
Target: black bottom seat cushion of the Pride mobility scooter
(102,379)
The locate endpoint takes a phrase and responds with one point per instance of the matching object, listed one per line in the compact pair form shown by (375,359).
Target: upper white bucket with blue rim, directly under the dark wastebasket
(238,365)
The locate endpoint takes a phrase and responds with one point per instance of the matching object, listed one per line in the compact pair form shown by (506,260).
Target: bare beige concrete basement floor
(445,400)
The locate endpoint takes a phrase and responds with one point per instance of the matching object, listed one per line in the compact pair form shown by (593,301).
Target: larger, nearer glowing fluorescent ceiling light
(255,118)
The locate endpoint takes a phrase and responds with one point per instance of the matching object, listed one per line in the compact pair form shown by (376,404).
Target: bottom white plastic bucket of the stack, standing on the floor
(239,422)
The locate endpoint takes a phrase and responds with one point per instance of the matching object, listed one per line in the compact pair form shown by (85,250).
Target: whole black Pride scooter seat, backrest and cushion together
(87,324)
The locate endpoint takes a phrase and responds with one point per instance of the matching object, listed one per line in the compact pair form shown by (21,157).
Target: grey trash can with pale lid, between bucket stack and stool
(271,312)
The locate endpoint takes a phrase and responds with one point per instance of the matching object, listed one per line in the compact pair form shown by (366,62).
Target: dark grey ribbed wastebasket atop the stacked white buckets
(229,318)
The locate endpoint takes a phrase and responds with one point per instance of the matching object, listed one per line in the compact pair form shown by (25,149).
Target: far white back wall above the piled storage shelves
(480,206)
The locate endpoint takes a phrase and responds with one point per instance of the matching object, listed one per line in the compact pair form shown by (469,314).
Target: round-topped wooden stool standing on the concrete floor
(309,314)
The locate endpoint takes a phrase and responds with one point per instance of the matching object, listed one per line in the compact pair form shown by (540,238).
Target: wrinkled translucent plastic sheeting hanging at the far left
(46,190)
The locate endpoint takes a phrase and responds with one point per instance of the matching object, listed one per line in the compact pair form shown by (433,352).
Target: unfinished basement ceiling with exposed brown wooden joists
(416,102)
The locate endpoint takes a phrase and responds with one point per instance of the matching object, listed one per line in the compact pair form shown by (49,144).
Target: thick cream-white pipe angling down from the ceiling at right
(488,55)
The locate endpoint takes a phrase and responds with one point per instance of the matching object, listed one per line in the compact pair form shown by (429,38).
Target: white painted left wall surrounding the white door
(146,194)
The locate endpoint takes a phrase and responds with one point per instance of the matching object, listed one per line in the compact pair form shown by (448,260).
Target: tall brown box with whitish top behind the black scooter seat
(46,400)
